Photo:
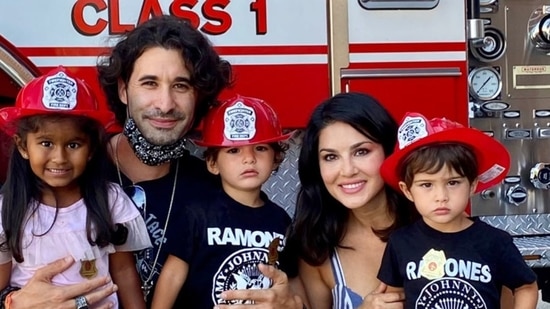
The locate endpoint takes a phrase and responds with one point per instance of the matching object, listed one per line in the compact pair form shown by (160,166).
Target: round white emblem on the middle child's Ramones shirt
(239,271)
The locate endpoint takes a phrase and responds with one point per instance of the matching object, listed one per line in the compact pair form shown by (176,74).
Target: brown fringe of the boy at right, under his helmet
(432,158)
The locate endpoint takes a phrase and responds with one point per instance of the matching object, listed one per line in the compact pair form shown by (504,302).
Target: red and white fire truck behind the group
(484,63)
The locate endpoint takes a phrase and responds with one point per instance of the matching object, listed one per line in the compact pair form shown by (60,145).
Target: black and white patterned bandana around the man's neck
(149,153)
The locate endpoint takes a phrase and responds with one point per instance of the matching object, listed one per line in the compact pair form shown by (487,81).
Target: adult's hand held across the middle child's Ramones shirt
(279,296)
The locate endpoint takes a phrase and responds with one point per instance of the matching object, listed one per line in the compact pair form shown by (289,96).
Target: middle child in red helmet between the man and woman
(220,240)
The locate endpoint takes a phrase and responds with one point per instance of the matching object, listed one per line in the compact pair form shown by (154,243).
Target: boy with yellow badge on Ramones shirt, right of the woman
(446,259)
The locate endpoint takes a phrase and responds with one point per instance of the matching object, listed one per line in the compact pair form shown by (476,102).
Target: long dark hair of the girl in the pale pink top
(22,190)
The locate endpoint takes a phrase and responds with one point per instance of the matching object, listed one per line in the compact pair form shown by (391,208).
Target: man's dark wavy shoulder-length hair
(209,73)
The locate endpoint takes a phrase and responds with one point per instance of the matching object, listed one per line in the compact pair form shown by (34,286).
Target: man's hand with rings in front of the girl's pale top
(39,292)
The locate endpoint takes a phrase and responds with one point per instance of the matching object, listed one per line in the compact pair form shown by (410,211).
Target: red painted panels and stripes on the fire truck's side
(295,89)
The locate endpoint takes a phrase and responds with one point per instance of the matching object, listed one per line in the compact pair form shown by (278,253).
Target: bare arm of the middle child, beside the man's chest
(171,279)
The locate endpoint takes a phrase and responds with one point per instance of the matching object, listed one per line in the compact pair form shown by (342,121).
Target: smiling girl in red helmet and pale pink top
(56,201)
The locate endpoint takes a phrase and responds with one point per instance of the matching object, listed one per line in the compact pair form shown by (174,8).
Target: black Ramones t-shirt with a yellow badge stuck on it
(470,266)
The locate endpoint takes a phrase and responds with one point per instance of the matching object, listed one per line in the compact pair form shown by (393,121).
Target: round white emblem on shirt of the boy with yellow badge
(447,293)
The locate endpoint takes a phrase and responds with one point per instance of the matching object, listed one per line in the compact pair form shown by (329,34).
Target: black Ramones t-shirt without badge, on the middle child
(222,241)
